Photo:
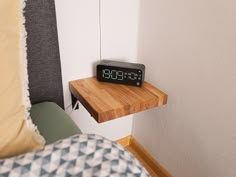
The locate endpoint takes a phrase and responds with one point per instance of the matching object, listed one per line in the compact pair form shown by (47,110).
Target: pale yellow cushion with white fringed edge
(17,133)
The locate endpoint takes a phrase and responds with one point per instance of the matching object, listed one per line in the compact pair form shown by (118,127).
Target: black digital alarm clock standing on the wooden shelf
(120,72)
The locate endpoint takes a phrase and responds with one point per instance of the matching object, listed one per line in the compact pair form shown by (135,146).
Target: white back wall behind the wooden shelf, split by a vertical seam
(79,48)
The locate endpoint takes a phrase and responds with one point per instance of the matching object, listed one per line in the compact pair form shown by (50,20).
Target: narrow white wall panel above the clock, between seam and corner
(119,29)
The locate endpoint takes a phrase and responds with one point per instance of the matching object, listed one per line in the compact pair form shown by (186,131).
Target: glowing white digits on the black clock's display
(118,75)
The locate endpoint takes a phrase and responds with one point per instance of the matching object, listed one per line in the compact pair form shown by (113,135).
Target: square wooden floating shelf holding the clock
(107,101)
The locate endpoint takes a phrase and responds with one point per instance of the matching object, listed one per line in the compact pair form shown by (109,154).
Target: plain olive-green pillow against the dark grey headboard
(52,122)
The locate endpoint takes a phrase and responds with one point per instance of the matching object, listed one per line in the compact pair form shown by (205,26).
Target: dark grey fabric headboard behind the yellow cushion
(44,68)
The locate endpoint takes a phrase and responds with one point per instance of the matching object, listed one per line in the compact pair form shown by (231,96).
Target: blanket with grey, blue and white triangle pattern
(84,155)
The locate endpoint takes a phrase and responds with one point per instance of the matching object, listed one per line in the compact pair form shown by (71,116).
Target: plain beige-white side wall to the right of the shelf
(189,48)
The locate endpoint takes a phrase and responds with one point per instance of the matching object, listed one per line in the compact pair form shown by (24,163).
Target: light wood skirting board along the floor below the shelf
(152,166)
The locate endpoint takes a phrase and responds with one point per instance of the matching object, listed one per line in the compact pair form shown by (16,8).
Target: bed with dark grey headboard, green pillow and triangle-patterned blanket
(68,152)
